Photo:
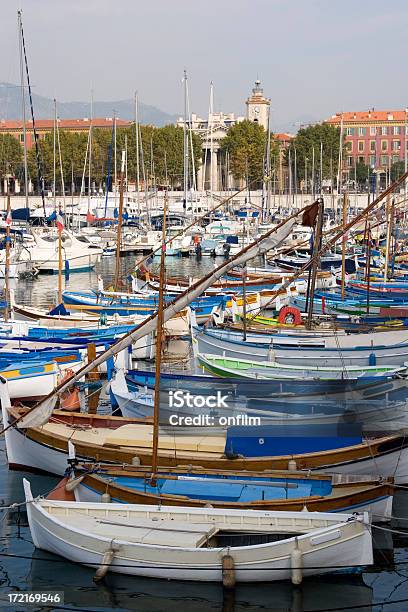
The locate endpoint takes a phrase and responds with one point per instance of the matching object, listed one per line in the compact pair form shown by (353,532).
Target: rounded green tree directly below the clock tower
(245,143)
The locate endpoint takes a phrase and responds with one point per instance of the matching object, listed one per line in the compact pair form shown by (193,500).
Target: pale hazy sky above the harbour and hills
(314,57)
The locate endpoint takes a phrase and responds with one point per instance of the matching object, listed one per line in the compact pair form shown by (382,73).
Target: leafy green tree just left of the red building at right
(311,139)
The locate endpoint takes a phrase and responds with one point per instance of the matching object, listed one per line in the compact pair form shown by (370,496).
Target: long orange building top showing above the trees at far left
(45,126)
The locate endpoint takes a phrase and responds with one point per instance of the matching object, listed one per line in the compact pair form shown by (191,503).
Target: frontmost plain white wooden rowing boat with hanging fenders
(191,544)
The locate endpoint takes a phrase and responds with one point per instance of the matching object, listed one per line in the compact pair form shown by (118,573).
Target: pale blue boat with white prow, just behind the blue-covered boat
(372,414)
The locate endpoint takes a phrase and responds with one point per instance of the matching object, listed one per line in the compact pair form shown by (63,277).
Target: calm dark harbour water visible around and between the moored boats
(23,568)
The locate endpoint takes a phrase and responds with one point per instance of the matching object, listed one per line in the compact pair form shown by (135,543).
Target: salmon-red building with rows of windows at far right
(375,138)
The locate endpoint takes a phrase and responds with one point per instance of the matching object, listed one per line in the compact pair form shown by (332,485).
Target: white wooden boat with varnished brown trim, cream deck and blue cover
(111,439)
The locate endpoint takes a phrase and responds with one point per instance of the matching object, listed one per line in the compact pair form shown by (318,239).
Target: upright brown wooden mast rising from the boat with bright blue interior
(159,340)
